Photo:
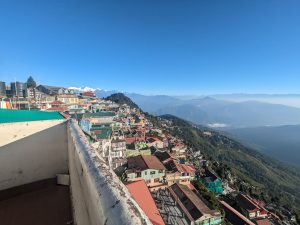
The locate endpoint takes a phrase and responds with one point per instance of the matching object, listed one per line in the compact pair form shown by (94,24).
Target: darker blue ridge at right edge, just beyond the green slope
(282,143)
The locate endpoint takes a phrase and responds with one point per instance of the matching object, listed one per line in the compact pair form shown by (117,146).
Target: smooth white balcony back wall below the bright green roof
(37,156)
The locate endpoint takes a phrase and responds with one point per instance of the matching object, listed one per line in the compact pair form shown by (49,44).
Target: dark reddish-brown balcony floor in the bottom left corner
(39,203)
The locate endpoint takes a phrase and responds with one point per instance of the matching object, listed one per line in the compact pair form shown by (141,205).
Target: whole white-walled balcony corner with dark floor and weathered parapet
(49,174)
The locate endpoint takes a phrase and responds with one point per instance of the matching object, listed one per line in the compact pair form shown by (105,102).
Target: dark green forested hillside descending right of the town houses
(278,181)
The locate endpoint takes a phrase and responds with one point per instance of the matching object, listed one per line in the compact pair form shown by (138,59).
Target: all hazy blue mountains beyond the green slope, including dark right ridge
(263,126)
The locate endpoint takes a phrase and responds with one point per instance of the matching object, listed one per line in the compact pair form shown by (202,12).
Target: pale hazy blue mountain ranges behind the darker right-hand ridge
(218,111)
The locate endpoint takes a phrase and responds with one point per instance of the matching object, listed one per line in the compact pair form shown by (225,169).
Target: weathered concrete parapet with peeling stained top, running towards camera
(98,196)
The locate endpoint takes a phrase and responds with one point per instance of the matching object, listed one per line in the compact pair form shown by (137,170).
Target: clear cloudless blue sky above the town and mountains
(154,46)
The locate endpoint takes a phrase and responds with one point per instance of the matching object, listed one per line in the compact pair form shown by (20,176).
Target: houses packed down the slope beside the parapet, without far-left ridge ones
(154,166)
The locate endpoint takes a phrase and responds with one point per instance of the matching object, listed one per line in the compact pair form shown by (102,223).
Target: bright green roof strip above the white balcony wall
(12,116)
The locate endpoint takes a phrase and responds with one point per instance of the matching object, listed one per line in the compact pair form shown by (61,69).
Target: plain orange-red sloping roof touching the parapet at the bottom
(142,196)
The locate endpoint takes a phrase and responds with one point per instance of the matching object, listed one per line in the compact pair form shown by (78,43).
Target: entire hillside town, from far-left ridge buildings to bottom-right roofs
(171,182)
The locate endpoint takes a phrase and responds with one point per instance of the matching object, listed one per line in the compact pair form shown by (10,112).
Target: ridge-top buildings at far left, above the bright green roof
(44,97)
